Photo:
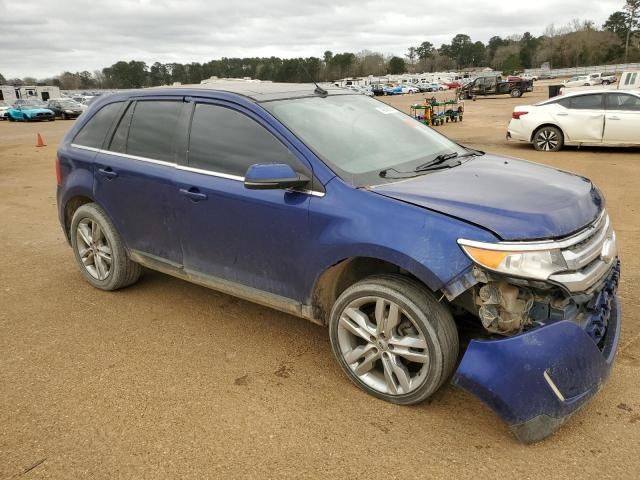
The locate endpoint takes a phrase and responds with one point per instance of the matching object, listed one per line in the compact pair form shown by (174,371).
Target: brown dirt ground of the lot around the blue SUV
(171,380)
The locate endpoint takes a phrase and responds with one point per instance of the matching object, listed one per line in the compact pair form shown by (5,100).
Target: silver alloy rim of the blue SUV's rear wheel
(94,249)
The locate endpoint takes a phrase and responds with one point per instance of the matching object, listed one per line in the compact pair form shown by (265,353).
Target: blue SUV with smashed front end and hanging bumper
(427,260)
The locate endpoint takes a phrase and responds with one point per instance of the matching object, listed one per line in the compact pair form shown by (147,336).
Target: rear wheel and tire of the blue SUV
(99,250)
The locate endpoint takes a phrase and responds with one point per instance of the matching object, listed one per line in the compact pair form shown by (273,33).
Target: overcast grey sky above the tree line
(42,38)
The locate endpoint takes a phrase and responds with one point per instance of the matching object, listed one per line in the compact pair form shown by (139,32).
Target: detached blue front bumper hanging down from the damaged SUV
(536,380)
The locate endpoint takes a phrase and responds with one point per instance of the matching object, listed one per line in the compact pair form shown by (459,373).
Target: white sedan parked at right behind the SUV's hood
(596,117)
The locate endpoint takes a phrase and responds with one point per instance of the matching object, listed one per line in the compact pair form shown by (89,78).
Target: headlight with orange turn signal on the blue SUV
(529,261)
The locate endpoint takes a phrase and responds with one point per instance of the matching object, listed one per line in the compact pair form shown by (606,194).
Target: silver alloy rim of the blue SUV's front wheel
(382,345)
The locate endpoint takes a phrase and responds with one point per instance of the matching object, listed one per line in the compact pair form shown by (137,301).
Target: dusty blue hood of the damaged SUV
(515,199)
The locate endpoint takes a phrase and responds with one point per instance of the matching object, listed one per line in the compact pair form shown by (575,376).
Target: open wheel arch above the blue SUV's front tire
(336,278)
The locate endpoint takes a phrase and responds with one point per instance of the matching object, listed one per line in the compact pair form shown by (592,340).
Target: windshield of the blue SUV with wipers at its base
(358,137)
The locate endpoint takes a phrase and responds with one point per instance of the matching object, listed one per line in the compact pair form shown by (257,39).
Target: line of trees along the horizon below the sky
(580,43)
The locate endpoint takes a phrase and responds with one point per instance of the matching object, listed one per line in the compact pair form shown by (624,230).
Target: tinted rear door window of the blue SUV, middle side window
(153,130)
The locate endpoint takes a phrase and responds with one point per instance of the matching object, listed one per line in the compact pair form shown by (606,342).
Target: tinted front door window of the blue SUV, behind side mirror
(226,141)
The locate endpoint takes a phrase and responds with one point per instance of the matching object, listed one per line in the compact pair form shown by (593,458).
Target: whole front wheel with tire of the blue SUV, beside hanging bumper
(393,339)
